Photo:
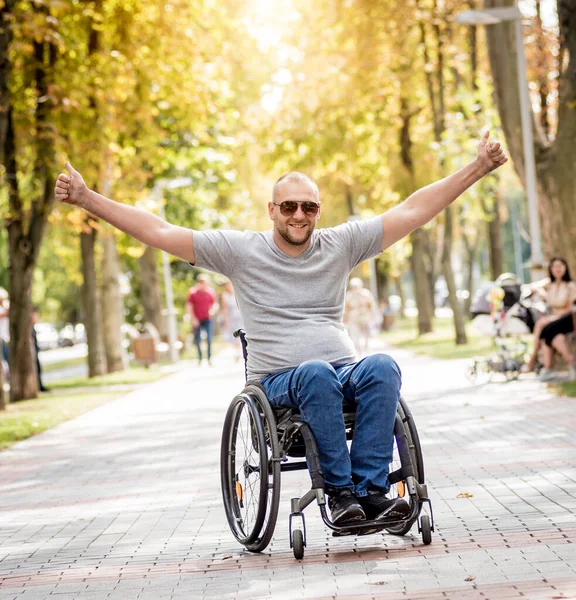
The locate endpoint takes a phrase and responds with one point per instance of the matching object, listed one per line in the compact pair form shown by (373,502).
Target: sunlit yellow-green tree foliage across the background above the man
(231,95)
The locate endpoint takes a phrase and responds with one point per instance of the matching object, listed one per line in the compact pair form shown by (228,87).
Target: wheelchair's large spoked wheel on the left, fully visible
(250,469)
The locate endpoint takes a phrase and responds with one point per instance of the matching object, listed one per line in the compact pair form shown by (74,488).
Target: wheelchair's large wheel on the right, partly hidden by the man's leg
(399,490)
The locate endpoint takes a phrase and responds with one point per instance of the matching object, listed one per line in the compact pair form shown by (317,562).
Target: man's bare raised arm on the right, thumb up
(424,204)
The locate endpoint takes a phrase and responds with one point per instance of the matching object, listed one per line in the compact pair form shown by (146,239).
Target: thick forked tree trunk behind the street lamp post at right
(555,162)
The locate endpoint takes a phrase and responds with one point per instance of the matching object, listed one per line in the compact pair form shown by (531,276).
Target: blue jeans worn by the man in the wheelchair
(318,389)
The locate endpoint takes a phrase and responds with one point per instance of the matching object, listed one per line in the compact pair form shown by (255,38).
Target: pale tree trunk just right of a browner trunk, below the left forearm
(112,306)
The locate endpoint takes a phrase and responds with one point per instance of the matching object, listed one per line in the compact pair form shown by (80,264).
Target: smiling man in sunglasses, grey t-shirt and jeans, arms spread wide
(290,285)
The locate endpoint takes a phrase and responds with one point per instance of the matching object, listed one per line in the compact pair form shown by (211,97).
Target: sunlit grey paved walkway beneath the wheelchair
(124,502)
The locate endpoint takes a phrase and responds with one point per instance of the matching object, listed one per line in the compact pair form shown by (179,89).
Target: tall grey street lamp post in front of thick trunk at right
(493,16)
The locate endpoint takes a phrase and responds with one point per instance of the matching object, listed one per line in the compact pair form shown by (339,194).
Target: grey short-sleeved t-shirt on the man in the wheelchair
(292,307)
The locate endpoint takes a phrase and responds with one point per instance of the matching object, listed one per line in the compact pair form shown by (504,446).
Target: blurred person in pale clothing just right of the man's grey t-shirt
(359,314)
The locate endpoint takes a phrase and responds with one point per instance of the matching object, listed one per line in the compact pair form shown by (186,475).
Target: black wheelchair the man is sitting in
(259,442)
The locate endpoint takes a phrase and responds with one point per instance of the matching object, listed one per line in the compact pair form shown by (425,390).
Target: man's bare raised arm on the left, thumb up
(140,224)
